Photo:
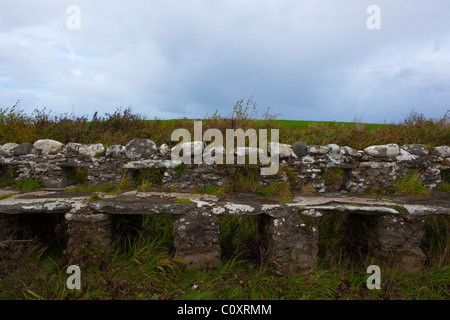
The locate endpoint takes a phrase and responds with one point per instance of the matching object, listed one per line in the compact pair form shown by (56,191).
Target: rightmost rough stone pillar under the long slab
(399,238)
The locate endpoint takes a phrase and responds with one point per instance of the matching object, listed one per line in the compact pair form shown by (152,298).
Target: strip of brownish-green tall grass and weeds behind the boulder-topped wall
(123,125)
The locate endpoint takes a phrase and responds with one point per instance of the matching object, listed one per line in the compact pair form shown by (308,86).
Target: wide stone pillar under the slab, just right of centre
(291,240)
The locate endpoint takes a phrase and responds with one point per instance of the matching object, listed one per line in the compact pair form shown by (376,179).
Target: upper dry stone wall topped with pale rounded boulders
(329,168)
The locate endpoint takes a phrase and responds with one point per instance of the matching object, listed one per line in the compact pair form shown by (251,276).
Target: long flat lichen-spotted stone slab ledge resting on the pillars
(143,203)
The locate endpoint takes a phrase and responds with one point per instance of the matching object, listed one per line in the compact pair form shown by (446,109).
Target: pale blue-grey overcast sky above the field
(322,60)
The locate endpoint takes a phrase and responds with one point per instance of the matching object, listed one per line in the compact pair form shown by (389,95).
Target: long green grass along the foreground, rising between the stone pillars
(143,267)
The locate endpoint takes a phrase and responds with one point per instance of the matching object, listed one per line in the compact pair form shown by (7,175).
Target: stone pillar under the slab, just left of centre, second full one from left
(197,239)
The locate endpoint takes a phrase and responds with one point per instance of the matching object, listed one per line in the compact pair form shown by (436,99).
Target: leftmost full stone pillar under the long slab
(89,234)
